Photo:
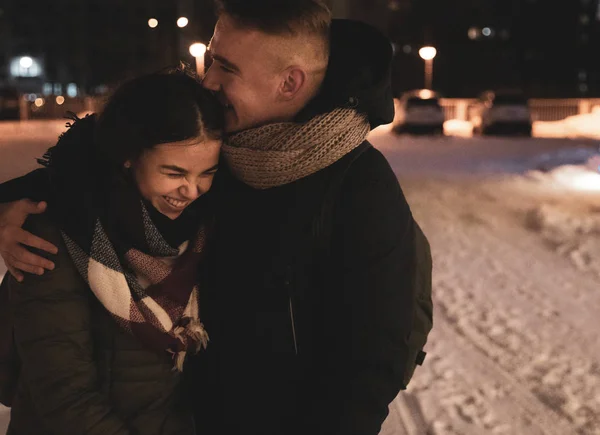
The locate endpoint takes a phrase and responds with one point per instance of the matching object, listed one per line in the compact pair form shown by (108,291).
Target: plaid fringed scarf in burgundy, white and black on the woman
(149,287)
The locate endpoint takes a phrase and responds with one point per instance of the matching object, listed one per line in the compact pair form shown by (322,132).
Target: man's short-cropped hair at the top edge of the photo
(280,17)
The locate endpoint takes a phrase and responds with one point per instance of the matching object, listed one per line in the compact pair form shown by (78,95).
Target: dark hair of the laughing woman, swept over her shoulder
(162,107)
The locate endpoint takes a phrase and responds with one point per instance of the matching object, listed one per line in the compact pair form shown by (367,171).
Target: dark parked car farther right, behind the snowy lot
(498,113)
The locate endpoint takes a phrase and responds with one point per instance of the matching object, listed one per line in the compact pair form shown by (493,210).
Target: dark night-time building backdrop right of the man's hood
(545,48)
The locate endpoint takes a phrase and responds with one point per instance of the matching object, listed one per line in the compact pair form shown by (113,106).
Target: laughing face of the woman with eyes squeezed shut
(173,175)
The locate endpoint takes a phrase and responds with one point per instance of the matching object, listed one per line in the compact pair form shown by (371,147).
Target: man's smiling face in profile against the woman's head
(245,76)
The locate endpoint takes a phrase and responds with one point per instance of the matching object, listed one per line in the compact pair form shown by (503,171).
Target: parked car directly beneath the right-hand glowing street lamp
(419,111)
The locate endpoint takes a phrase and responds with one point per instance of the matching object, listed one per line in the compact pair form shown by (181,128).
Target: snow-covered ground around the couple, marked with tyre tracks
(515,236)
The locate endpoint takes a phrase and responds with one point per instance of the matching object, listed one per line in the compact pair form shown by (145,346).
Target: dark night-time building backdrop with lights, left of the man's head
(87,46)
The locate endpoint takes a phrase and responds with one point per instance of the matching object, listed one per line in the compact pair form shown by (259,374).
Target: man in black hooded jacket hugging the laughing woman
(304,339)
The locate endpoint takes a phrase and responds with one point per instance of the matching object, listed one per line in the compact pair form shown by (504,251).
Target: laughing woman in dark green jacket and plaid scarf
(102,337)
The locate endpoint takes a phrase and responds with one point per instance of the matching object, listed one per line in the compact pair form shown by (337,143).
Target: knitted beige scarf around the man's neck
(281,153)
